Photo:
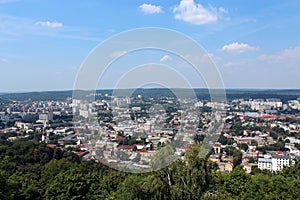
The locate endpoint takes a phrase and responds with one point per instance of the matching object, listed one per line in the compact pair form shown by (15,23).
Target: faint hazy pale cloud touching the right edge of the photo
(287,55)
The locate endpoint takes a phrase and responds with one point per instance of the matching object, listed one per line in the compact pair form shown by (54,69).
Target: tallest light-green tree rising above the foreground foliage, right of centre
(183,179)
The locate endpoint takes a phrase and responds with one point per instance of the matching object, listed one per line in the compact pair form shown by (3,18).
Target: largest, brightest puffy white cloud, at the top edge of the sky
(194,13)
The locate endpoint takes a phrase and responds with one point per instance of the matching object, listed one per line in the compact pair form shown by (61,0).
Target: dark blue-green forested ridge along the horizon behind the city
(160,92)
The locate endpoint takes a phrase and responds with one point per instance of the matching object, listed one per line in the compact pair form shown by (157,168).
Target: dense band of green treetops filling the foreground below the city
(31,170)
